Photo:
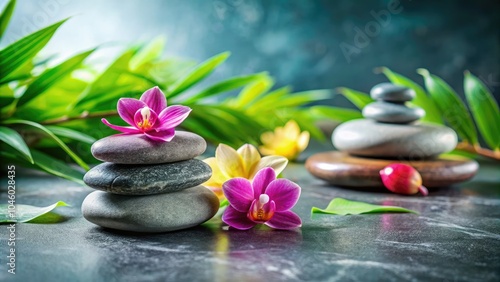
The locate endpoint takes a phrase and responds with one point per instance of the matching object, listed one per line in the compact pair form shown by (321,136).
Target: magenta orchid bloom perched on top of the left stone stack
(150,116)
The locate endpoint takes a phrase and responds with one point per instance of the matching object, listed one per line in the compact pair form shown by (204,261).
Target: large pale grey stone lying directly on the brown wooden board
(383,140)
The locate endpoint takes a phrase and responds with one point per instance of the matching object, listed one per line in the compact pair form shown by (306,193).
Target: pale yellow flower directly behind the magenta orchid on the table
(244,162)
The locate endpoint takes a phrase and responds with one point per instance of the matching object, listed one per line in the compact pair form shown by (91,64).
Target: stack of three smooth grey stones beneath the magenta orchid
(149,186)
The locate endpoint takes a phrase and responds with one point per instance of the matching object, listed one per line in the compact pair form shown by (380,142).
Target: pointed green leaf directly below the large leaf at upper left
(52,76)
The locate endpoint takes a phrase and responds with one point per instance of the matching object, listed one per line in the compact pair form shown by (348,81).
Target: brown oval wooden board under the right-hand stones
(342,169)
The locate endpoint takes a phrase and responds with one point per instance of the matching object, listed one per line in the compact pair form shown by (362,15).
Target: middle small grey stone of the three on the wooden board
(392,112)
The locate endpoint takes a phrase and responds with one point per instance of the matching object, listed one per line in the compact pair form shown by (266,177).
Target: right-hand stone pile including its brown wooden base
(390,132)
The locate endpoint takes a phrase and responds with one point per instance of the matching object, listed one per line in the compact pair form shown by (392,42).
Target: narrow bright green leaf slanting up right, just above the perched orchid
(197,74)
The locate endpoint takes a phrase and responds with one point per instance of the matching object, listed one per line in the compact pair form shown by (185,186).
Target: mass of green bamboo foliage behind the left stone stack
(49,116)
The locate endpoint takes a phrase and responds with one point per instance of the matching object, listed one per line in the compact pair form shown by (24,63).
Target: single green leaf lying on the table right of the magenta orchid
(342,206)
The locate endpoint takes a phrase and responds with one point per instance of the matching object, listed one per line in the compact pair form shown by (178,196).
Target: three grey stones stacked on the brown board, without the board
(391,129)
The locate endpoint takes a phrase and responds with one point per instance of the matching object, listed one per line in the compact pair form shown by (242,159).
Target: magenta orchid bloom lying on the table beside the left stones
(266,200)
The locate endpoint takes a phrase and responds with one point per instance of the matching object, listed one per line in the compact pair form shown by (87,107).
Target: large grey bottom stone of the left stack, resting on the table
(154,213)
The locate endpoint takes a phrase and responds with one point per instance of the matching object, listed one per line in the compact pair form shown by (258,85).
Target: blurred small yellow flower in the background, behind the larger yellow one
(285,141)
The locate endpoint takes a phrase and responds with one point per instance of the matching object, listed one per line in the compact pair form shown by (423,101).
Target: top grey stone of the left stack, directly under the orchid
(138,149)
